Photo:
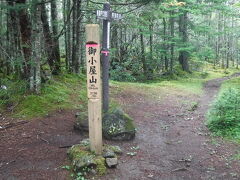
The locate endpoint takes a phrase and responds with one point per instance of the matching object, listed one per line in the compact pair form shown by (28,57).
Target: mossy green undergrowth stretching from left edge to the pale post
(62,92)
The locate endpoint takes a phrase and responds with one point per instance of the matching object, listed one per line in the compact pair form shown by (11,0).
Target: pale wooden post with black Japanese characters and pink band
(94,87)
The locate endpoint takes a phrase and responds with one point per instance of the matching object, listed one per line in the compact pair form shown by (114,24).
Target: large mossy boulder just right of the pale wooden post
(117,125)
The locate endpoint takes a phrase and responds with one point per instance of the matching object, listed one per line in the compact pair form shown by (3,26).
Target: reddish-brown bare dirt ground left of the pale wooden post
(31,151)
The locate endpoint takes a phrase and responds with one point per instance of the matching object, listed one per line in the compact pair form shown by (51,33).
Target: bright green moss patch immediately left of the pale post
(65,92)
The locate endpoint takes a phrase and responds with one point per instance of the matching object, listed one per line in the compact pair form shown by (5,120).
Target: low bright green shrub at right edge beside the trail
(224,116)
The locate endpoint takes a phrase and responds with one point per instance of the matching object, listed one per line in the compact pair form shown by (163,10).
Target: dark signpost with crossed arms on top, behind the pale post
(107,16)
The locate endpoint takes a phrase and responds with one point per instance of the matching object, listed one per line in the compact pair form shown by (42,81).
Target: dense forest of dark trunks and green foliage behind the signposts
(42,38)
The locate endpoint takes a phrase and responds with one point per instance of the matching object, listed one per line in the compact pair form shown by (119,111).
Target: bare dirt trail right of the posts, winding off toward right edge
(174,142)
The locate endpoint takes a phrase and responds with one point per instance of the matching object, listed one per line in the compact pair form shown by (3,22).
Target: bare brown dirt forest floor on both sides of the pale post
(172,142)
